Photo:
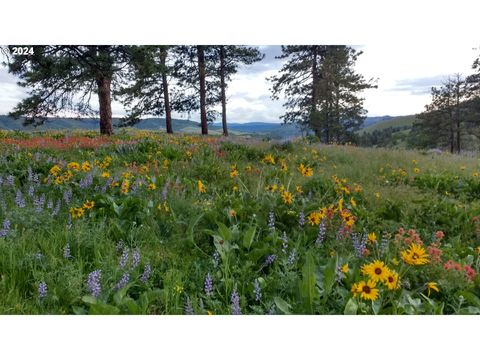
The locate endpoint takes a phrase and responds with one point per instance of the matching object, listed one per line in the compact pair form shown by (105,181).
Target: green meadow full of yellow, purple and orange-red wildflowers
(145,223)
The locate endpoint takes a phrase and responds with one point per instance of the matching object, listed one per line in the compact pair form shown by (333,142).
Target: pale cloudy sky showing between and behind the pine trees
(405,75)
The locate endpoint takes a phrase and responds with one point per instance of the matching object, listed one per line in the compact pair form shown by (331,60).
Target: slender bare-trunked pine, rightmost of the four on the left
(229,57)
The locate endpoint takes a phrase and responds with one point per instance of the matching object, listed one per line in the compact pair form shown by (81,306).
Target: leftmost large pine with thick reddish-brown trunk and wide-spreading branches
(63,79)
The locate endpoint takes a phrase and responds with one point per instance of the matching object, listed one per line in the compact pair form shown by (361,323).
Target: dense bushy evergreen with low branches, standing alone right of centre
(321,90)
